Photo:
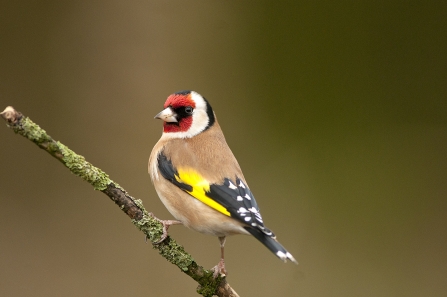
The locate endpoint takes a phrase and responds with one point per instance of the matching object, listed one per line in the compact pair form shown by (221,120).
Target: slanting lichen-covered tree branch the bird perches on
(144,221)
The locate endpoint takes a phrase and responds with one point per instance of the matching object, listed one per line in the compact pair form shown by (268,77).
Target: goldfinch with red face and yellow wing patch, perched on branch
(199,180)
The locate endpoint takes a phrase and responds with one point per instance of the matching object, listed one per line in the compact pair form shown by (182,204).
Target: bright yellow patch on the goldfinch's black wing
(199,186)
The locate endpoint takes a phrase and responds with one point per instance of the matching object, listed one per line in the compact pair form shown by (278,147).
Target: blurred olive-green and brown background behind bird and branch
(336,111)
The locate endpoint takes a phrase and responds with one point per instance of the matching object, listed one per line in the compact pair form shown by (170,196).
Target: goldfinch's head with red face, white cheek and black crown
(186,114)
